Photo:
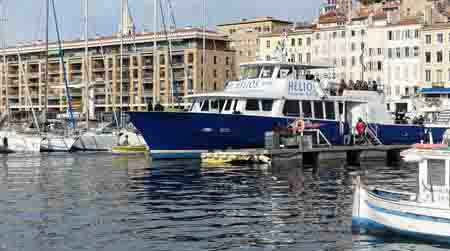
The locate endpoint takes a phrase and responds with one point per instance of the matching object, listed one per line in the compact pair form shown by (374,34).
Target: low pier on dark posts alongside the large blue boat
(353,155)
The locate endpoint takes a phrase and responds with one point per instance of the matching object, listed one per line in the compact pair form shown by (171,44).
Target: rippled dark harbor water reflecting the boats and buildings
(104,202)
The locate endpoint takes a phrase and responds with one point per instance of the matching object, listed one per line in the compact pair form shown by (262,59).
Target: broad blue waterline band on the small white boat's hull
(373,226)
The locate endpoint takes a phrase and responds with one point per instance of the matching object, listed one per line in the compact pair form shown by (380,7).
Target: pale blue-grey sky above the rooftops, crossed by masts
(25,19)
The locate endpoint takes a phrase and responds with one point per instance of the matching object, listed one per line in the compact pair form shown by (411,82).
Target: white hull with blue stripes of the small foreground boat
(388,213)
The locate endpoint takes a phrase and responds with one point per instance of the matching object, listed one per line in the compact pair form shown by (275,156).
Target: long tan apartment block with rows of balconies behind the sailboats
(145,81)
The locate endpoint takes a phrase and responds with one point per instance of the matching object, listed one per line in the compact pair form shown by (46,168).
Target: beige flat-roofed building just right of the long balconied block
(245,34)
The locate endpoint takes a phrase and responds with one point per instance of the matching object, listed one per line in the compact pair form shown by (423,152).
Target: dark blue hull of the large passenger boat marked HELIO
(187,135)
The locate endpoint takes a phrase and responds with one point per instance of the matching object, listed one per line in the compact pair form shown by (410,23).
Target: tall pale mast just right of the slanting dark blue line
(86,62)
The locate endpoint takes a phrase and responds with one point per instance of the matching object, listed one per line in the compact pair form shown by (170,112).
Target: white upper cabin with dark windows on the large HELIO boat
(288,90)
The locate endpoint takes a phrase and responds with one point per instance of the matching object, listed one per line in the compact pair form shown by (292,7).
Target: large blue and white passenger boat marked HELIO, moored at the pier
(269,93)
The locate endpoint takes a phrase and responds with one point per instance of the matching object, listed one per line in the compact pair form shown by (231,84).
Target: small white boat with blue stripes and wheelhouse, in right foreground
(424,215)
